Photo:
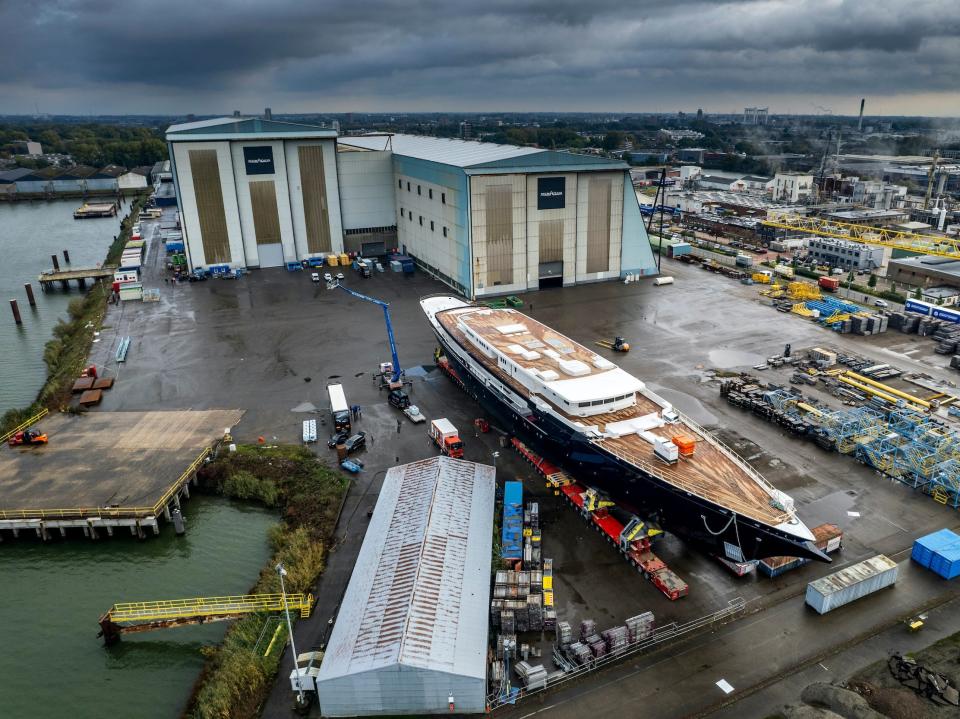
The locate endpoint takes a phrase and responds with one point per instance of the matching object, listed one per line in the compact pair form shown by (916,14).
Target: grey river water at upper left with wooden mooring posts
(29,233)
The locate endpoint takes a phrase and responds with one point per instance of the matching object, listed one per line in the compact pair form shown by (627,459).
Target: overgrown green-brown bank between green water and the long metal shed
(239,672)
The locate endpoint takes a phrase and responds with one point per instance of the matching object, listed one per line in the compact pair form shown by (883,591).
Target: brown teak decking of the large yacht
(709,473)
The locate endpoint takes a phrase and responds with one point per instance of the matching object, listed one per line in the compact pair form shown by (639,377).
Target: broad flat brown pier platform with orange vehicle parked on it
(105,471)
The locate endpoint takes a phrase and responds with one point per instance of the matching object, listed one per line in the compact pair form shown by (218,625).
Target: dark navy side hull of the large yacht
(695,520)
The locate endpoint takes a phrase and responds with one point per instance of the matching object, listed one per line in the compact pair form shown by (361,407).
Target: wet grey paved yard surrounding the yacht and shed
(270,342)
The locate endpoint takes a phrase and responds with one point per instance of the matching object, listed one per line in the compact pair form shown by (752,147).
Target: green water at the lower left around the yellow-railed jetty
(52,595)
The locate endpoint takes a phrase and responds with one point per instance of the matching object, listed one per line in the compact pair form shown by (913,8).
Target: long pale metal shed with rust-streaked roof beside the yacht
(411,635)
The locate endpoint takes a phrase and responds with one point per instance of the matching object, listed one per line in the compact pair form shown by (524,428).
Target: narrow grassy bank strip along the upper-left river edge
(66,353)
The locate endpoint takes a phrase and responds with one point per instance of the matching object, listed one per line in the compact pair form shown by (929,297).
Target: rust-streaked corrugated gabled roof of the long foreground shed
(420,588)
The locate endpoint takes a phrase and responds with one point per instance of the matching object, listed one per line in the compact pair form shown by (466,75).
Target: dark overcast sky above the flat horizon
(214,56)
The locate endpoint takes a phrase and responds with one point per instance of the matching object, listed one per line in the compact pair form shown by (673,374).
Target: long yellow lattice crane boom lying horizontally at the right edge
(882,236)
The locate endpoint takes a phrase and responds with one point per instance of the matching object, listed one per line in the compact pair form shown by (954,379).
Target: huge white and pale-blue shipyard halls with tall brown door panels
(483,218)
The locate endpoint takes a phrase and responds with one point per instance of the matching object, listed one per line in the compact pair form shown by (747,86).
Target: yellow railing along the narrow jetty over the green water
(198,607)
